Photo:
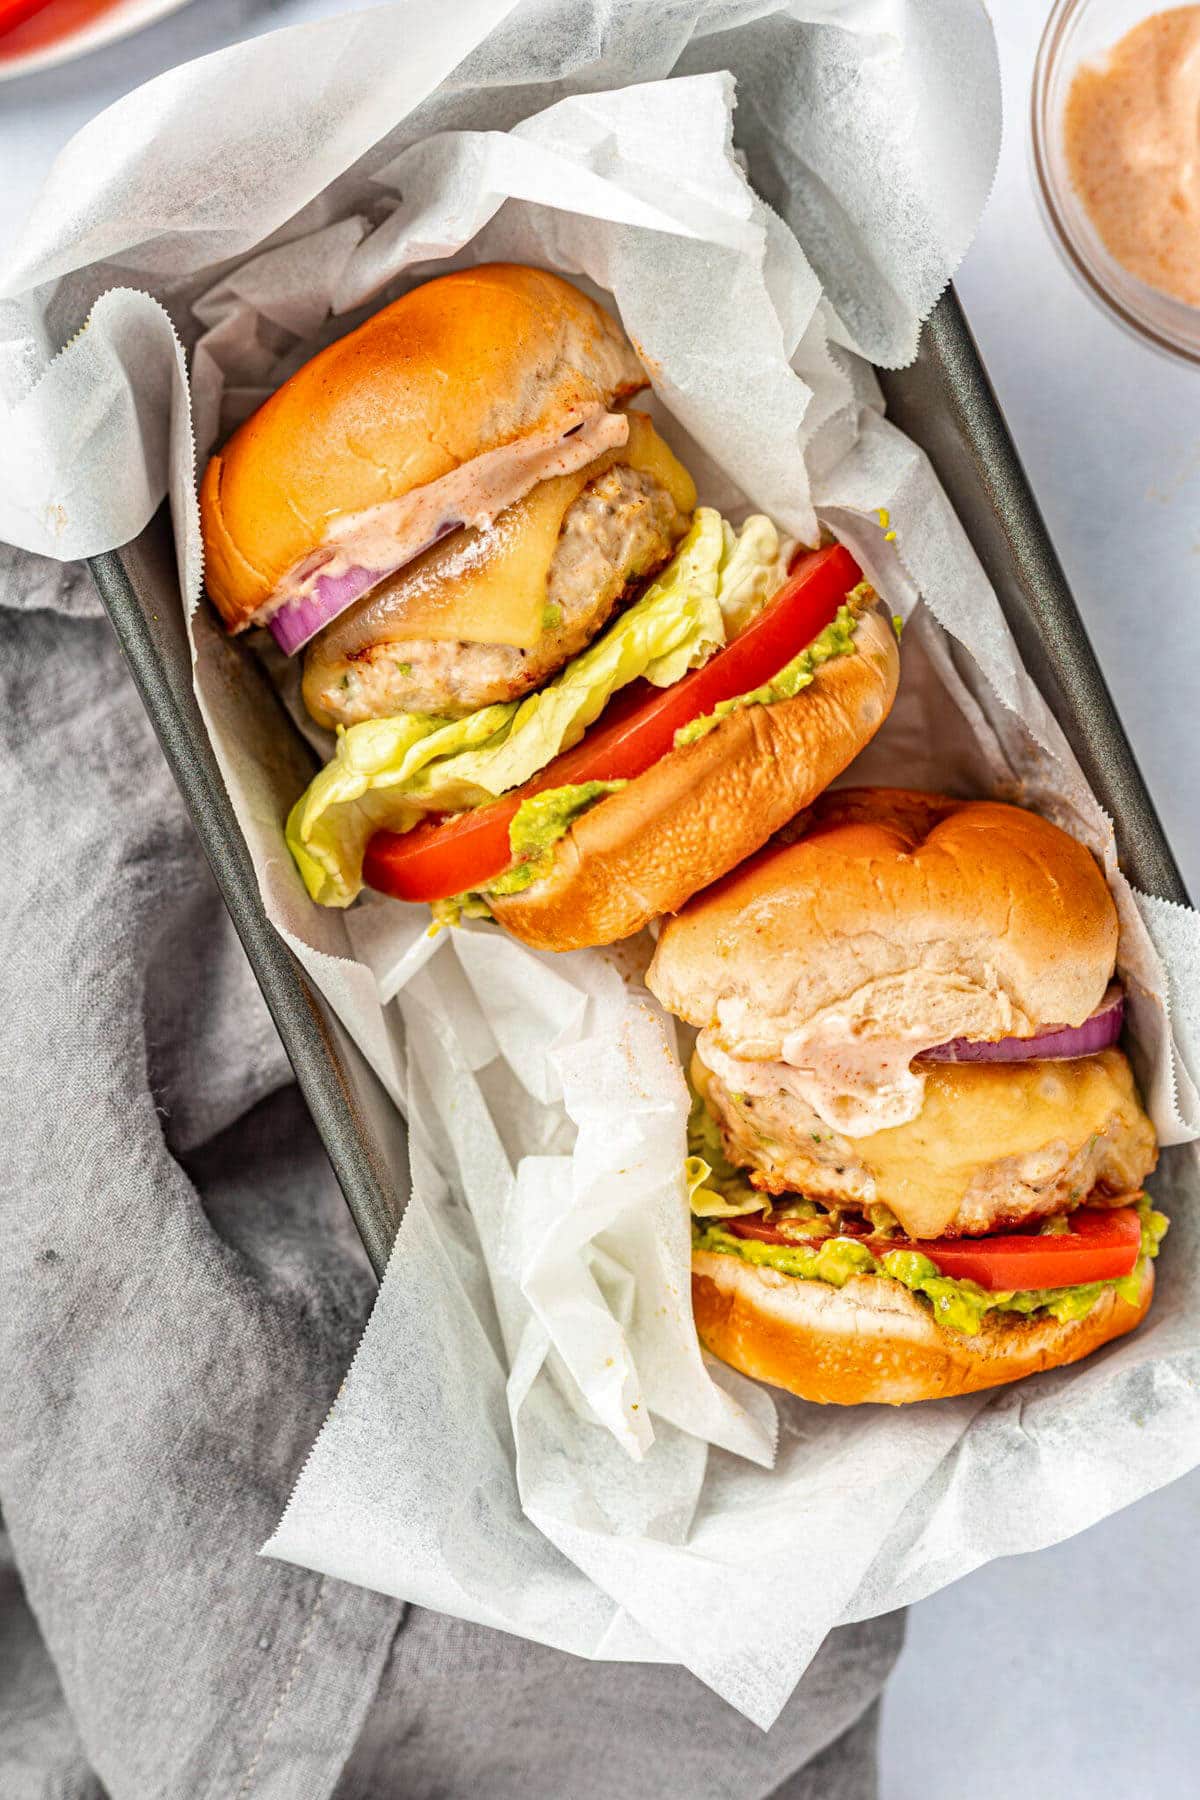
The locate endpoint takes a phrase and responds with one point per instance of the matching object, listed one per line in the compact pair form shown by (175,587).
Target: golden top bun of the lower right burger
(908,915)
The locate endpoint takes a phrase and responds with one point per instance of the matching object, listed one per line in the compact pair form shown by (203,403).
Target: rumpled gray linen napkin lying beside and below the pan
(181,1293)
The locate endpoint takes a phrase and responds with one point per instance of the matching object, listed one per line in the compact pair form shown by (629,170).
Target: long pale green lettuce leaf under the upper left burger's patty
(388,773)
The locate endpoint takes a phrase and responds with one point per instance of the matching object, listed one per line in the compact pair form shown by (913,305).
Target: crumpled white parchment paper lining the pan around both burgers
(530,1435)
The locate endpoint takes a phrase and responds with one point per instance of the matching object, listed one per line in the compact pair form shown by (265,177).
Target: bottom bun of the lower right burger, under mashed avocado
(873,1340)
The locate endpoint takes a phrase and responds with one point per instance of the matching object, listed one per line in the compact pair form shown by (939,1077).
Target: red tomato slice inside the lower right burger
(1102,1245)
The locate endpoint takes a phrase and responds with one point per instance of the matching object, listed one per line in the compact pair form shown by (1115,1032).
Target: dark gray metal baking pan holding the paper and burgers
(945,404)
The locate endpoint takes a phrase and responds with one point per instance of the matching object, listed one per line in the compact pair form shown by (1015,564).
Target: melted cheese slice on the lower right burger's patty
(981,1115)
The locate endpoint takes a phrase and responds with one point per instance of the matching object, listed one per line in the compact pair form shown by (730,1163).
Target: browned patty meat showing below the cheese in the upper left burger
(618,532)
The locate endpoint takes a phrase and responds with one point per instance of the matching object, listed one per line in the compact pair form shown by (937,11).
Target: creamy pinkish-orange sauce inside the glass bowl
(1133,139)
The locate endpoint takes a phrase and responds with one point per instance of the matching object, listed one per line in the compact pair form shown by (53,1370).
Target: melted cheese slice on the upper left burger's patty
(488,588)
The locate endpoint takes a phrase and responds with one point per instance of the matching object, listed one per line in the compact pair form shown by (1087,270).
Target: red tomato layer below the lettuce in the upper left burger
(445,858)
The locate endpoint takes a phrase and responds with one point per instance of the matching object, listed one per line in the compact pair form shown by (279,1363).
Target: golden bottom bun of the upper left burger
(706,805)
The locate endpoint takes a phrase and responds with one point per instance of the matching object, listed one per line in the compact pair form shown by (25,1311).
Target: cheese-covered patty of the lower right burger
(942,1174)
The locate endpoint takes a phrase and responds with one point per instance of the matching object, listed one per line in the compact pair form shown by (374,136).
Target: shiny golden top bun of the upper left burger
(456,368)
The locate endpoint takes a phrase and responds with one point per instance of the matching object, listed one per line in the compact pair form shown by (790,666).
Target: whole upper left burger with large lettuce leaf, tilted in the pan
(564,694)
